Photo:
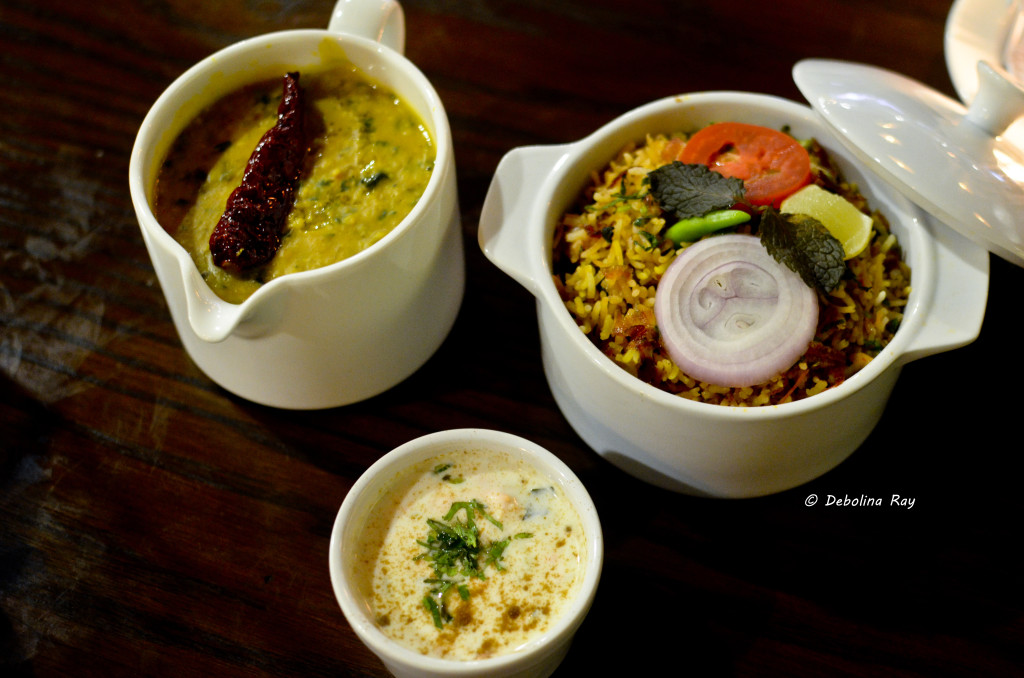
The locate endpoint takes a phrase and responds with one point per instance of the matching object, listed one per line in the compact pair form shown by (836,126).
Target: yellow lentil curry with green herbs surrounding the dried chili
(369,162)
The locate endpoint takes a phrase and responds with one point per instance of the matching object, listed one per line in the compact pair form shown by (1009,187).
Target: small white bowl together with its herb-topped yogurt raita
(467,553)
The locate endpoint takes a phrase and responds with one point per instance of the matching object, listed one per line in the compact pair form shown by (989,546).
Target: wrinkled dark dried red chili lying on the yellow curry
(249,232)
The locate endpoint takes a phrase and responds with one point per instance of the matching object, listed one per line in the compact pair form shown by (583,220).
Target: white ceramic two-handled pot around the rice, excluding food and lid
(693,447)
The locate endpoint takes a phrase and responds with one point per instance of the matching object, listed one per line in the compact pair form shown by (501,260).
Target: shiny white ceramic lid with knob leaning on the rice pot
(964,166)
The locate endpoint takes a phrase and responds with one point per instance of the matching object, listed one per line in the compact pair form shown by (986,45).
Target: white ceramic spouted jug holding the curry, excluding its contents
(338,334)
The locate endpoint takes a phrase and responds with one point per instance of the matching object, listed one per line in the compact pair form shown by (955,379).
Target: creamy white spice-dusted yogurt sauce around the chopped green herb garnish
(542,573)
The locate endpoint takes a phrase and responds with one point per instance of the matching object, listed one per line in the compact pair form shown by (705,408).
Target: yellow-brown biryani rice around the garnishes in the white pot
(610,257)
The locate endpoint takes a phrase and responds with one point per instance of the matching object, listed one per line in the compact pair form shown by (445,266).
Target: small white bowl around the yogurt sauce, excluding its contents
(538,658)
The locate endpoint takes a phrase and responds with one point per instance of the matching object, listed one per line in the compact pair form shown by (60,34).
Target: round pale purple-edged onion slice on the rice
(731,315)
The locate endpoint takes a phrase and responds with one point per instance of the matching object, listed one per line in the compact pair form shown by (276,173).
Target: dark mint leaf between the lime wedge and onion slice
(804,245)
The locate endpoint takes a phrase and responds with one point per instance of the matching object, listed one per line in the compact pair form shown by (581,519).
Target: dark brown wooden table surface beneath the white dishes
(152,525)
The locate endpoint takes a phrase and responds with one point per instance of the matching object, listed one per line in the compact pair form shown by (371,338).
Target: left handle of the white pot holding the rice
(505,219)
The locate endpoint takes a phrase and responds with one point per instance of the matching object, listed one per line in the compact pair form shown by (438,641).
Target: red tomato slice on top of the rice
(772,164)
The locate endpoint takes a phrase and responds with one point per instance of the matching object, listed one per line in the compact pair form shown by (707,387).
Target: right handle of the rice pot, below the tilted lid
(956,312)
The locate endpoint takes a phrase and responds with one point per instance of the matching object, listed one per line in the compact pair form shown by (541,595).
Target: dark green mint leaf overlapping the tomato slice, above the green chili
(689,191)
